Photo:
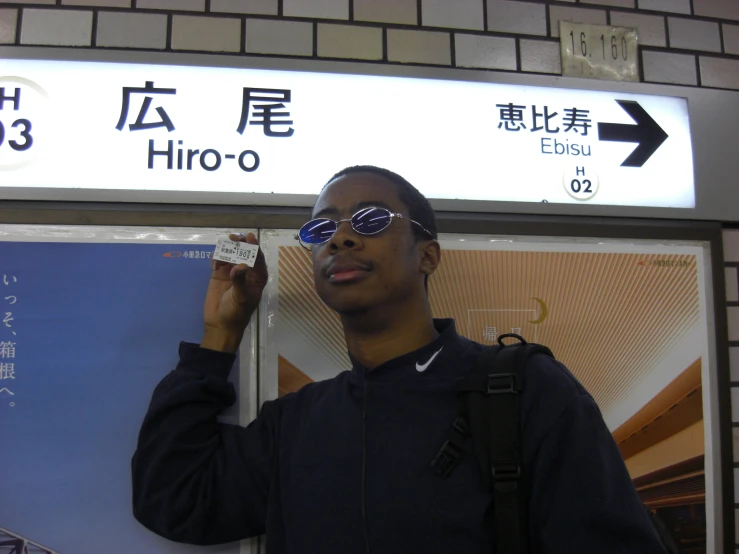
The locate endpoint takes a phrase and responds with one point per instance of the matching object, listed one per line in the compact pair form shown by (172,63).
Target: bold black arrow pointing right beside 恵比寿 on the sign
(646,132)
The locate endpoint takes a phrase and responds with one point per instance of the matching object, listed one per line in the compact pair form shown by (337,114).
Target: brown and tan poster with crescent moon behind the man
(628,318)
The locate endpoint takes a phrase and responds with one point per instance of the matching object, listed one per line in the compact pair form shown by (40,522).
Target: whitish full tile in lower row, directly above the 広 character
(132,30)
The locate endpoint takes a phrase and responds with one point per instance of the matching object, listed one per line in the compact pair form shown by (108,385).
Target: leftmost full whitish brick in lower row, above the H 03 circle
(57,27)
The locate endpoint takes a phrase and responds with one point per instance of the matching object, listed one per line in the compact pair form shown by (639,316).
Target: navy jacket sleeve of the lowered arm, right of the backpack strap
(583,499)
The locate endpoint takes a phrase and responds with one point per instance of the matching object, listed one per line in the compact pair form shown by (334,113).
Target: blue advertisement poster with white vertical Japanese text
(91,321)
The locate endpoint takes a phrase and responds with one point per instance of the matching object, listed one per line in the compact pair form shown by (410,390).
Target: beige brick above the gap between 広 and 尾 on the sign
(210,34)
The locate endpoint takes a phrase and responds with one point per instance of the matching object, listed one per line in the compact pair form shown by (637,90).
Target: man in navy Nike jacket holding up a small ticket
(344,465)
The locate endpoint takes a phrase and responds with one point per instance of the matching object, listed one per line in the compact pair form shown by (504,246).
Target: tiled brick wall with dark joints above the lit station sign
(685,42)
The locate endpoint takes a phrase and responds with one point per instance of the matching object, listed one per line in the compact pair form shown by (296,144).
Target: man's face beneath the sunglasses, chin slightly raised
(354,272)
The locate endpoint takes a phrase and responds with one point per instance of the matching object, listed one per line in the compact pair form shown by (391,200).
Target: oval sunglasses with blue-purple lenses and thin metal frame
(367,221)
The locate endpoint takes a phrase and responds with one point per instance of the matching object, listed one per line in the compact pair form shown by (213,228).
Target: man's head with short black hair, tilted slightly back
(355,272)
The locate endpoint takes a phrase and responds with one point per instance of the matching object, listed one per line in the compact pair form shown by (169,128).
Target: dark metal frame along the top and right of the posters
(58,213)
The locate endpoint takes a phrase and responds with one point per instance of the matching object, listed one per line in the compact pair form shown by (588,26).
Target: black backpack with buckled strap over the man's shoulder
(489,412)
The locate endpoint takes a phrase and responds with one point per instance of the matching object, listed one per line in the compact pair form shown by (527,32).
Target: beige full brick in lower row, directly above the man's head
(349,41)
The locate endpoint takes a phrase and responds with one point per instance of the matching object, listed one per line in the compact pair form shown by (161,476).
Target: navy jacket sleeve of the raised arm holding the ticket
(196,480)
